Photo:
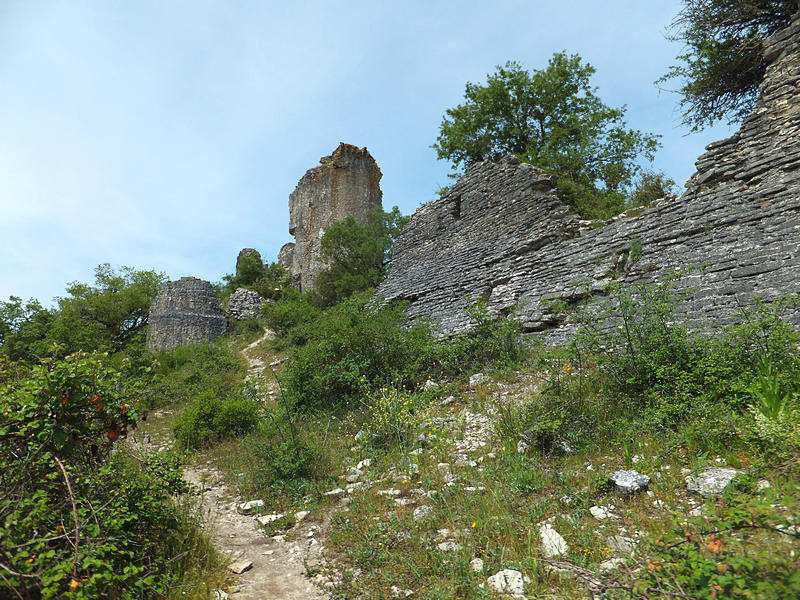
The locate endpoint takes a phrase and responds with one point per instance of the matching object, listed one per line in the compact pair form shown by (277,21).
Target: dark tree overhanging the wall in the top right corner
(724,60)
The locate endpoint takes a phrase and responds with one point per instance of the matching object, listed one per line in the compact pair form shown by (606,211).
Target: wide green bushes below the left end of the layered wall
(357,346)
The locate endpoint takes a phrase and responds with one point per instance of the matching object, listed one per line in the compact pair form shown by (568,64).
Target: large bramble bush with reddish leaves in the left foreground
(75,521)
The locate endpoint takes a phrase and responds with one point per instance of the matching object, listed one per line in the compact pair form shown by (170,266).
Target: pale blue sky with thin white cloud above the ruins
(169,135)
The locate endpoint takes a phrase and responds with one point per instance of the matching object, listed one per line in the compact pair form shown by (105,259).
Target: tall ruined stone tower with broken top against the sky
(345,184)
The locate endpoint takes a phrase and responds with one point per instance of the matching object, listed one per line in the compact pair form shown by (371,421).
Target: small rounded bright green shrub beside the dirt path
(208,418)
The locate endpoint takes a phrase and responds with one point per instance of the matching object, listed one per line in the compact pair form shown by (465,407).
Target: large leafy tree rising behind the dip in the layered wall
(553,119)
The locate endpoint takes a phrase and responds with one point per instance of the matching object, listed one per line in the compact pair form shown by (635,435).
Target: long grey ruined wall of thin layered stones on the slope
(503,235)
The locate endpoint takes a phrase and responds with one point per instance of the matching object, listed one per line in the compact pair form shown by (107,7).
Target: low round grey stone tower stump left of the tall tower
(185,312)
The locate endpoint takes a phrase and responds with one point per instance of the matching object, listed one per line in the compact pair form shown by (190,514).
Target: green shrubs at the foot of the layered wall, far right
(675,375)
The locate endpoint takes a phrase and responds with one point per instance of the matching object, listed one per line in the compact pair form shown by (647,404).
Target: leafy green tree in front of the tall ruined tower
(358,255)
